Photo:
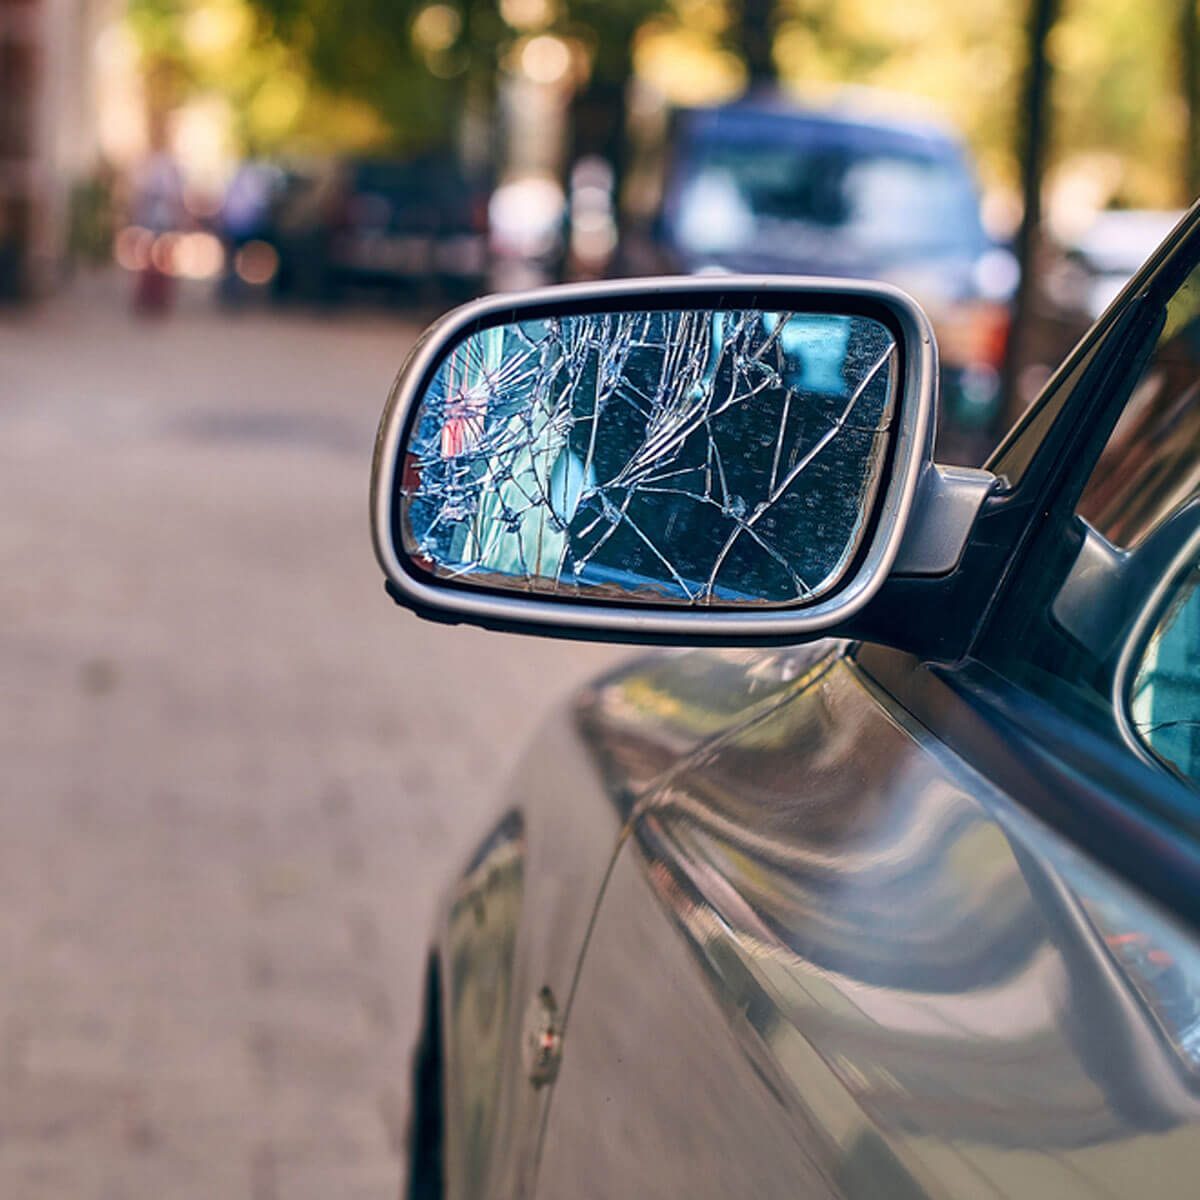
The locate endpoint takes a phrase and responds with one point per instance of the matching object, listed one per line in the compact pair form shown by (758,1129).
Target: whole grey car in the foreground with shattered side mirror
(884,878)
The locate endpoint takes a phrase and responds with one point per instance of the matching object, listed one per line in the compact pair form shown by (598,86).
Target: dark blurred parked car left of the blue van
(416,227)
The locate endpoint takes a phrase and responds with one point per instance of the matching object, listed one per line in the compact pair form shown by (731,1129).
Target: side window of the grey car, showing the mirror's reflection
(1102,617)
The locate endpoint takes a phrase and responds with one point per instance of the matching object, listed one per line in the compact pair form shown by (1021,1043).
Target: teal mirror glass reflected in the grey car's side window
(1165,699)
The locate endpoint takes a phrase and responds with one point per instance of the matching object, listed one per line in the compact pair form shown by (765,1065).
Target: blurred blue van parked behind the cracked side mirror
(767,187)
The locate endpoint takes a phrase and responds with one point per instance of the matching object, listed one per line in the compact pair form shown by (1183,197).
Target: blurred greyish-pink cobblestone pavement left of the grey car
(235,776)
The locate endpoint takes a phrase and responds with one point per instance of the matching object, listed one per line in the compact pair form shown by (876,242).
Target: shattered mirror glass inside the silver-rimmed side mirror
(687,458)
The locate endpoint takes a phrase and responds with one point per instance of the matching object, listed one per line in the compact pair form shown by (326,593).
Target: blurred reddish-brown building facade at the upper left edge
(50,137)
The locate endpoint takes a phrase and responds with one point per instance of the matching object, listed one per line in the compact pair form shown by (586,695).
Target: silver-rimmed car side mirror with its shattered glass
(699,460)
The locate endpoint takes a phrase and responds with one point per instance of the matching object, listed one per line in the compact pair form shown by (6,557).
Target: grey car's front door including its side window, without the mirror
(929,929)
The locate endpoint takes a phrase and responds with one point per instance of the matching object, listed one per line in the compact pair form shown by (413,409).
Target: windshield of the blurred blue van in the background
(884,206)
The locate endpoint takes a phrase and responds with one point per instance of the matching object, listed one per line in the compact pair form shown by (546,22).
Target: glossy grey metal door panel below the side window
(835,961)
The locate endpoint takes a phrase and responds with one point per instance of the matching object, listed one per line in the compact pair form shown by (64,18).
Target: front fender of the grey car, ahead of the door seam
(518,917)
